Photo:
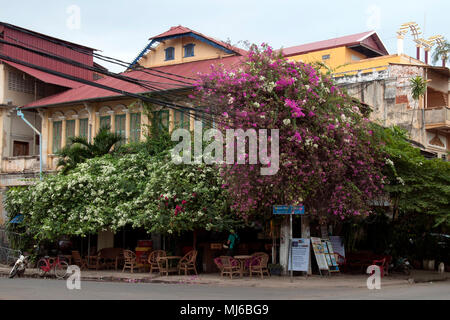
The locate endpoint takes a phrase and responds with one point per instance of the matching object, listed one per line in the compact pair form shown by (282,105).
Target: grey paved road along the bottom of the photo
(24,289)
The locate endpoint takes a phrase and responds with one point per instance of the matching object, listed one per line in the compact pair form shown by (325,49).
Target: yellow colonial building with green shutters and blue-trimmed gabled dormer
(168,66)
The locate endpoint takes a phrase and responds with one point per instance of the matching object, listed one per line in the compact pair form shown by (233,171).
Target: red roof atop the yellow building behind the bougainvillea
(351,40)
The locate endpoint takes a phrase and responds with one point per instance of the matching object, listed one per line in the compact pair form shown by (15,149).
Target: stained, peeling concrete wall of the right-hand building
(388,93)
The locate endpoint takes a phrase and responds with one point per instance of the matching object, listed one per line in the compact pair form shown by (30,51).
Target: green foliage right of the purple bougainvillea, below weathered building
(415,184)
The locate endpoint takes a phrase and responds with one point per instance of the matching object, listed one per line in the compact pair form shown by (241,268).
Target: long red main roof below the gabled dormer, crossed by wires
(86,93)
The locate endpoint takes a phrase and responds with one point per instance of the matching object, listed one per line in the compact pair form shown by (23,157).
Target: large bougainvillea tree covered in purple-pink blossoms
(328,160)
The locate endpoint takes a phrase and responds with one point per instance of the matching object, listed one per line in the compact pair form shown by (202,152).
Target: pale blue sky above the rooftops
(121,28)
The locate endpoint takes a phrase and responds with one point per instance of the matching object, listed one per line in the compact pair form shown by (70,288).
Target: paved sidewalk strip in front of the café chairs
(316,281)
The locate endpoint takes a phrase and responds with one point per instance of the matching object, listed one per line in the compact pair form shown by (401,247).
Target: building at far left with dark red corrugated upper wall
(21,85)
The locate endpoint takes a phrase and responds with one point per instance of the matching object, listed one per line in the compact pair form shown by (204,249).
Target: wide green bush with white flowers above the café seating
(133,189)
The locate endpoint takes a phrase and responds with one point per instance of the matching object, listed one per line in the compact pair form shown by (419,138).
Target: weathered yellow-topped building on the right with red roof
(361,64)
